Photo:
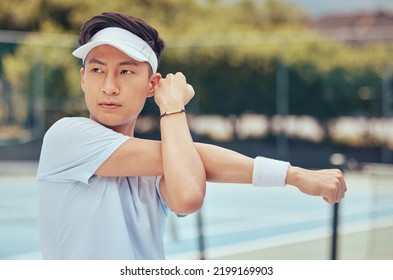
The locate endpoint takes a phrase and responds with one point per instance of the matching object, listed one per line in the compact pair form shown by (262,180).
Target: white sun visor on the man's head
(123,40)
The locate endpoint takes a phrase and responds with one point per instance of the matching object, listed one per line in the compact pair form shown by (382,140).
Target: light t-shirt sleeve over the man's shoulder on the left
(73,149)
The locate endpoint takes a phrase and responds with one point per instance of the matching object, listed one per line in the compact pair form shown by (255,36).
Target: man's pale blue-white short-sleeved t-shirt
(83,216)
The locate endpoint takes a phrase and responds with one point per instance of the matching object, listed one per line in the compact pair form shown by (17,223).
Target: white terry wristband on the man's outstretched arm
(269,172)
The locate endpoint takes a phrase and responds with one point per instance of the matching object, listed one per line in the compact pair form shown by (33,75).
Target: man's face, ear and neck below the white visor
(116,87)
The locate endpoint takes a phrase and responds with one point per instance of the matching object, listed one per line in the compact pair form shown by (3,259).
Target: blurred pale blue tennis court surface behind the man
(234,218)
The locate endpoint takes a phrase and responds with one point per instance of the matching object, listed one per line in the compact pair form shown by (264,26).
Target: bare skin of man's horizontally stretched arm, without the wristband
(143,157)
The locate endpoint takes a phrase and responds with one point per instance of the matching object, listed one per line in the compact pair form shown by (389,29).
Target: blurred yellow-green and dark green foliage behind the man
(229,52)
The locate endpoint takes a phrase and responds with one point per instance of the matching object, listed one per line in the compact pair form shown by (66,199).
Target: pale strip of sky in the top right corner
(319,8)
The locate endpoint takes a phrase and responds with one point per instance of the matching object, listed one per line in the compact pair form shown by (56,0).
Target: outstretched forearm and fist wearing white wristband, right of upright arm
(227,166)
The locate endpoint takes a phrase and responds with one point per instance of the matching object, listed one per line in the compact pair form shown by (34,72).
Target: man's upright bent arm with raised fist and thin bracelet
(184,183)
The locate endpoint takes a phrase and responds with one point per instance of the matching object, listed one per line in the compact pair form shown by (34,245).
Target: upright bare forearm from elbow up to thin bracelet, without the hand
(184,173)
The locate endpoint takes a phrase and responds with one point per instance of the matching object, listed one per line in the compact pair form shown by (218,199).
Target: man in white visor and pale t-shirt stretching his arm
(104,194)
